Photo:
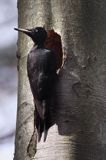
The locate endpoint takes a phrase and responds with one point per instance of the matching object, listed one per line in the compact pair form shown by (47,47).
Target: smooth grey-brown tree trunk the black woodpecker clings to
(79,111)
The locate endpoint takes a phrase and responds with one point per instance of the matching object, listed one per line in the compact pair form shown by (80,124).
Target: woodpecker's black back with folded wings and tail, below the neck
(42,80)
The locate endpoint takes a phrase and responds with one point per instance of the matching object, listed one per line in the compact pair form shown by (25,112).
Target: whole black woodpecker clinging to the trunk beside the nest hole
(41,69)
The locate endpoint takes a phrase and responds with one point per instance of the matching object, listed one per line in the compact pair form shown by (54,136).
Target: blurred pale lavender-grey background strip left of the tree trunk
(8,77)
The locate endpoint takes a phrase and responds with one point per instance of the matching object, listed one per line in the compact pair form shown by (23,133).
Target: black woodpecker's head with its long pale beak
(37,34)
